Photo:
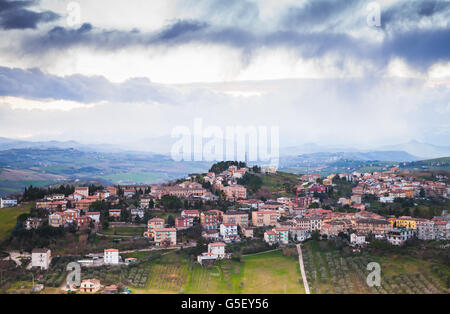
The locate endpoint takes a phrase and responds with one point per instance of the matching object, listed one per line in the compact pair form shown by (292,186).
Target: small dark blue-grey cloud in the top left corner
(14,15)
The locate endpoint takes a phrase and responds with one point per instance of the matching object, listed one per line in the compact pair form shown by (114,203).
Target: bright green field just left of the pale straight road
(270,272)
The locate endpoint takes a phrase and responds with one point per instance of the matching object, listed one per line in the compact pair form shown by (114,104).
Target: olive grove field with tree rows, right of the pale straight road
(331,271)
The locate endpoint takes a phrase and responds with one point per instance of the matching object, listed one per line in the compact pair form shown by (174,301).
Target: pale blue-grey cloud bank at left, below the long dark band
(34,84)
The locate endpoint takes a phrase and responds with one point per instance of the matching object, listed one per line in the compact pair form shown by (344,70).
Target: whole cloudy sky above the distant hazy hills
(126,72)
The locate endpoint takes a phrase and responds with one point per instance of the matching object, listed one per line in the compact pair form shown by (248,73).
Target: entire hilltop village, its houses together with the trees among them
(231,204)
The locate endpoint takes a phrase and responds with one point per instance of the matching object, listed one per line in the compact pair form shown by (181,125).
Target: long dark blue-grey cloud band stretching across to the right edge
(420,47)
